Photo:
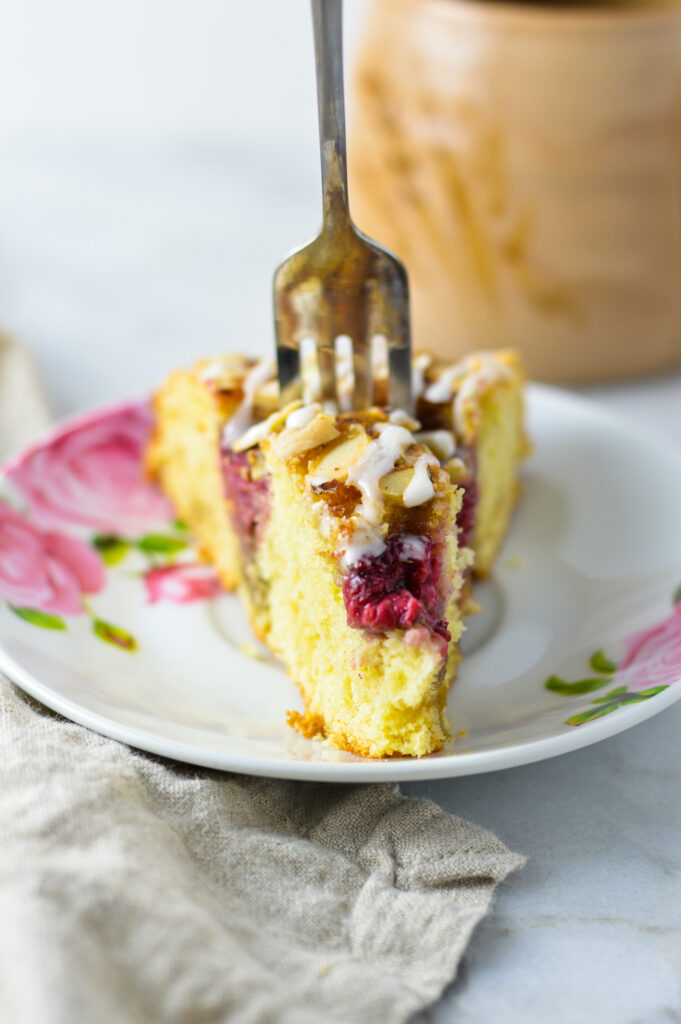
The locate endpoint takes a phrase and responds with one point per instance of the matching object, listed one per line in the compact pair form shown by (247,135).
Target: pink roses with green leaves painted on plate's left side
(90,477)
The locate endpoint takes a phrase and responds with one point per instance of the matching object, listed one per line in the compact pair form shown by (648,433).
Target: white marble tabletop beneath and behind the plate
(117,264)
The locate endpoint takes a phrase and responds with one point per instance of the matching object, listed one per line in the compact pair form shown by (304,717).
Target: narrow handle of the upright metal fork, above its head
(328,22)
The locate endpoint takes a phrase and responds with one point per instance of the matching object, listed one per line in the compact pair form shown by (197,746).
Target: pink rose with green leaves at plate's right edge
(651,664)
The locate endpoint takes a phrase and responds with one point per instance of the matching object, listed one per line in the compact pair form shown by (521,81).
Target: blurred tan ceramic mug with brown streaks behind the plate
(525,162)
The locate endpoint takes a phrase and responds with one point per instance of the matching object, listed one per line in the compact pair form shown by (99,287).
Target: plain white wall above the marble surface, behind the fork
(160,71)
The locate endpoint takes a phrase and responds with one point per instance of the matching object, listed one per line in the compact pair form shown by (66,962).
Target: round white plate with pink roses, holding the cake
(134,646)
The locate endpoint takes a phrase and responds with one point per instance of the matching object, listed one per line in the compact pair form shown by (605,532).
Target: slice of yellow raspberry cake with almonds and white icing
(344,534)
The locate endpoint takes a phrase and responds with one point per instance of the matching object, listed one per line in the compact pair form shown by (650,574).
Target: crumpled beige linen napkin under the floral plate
(139,891)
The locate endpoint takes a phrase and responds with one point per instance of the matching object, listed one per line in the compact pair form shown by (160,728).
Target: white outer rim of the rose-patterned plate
(449,765)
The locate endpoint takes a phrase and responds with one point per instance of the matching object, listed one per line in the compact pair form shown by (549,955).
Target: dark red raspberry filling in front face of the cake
(399,588)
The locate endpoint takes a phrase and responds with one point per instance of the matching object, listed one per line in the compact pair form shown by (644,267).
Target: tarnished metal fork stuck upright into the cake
(342,285)
